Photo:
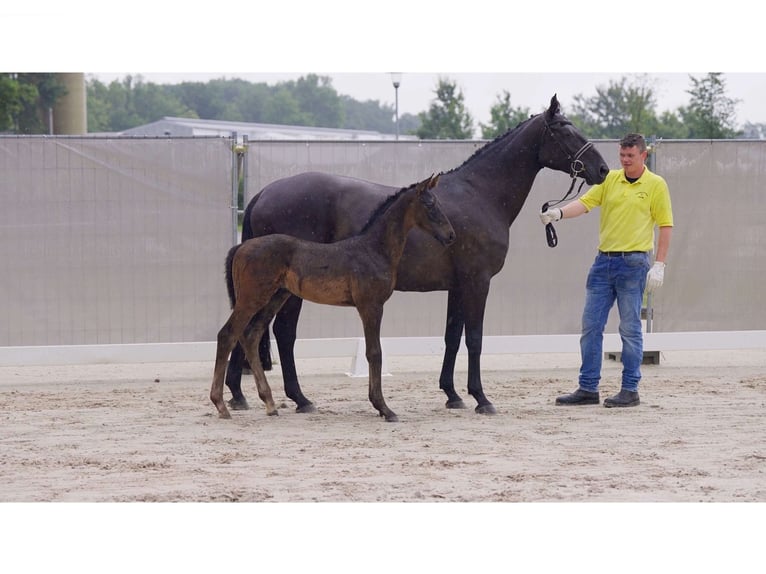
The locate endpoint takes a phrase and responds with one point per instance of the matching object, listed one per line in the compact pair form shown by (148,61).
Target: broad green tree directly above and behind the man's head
(621,107)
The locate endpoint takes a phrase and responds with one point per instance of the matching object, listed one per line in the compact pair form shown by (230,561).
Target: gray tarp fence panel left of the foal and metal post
(108,241)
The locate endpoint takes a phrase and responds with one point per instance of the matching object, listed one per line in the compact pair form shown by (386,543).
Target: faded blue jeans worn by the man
(620,278)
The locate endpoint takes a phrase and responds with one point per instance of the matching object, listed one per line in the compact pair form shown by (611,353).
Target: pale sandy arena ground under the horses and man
(148,432)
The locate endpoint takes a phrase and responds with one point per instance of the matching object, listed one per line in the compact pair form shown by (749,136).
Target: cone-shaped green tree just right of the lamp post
(447,117)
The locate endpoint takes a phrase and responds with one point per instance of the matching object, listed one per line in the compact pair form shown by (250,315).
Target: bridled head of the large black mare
(566,149)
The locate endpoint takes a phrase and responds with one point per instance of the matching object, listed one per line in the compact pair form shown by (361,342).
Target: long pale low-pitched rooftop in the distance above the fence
(187,127)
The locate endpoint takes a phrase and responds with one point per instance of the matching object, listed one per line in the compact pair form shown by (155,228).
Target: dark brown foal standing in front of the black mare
(359,271)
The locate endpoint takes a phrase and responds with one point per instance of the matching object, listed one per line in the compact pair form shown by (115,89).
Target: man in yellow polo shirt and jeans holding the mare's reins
(633,200)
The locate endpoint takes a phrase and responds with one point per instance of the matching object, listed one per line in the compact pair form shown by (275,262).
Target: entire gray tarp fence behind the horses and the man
(122,240)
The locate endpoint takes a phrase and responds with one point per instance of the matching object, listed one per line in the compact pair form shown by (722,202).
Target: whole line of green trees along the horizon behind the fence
(626,105)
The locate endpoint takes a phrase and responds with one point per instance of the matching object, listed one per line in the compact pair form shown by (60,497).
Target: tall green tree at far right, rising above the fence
(710,113)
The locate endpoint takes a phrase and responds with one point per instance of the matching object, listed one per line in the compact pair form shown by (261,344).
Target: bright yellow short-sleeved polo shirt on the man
(629,211)
